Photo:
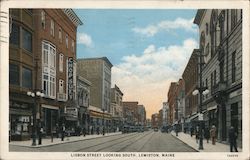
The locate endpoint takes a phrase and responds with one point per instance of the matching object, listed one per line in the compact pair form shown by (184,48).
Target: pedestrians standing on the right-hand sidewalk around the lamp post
(211,134)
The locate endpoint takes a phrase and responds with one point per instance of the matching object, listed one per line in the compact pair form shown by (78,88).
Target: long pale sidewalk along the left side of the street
(48,142)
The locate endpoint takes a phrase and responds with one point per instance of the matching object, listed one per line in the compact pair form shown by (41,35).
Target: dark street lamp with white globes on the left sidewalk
(34,95)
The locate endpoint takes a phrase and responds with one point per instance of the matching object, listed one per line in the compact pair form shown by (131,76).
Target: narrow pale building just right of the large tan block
(116,107)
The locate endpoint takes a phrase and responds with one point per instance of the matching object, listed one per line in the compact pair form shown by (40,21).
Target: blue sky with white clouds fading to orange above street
(148,48)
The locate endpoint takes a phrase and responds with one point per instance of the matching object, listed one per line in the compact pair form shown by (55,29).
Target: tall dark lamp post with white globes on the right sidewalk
(201,91)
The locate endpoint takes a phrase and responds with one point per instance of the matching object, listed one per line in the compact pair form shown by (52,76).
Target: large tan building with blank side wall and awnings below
(98,72)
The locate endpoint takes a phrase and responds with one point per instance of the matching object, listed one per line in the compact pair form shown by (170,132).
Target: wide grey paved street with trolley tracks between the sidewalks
(133,142)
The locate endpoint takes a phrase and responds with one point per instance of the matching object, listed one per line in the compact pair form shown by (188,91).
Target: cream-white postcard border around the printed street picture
(139,4)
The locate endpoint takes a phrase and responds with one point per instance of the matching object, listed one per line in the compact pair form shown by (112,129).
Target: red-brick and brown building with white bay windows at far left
(42,60)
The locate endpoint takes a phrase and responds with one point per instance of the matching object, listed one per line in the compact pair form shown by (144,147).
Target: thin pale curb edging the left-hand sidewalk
(53,144)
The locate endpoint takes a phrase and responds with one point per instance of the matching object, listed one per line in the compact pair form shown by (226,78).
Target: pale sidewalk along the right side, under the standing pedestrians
(208,147)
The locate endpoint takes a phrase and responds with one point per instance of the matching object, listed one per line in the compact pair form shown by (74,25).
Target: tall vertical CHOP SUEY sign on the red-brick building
(70,78)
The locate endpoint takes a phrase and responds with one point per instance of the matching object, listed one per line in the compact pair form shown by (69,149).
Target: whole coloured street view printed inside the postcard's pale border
(125,80)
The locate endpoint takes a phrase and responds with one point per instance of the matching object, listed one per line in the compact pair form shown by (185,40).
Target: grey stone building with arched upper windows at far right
(220,32)
